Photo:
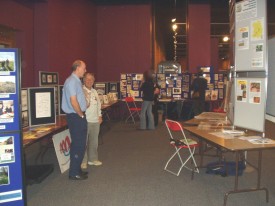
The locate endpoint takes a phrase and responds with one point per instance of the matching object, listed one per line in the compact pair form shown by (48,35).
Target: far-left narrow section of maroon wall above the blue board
(20,18)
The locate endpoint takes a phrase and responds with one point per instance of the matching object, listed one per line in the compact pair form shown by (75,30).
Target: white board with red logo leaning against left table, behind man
(62,143)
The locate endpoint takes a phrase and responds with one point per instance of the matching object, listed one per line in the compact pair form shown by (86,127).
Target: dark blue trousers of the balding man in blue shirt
(78,131)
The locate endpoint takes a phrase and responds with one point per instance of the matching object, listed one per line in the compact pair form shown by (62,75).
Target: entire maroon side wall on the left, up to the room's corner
(52,35)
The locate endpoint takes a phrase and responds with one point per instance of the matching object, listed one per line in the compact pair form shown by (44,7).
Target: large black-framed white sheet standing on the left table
(41,105)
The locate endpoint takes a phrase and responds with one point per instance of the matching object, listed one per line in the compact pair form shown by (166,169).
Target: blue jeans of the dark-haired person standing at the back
(146,108)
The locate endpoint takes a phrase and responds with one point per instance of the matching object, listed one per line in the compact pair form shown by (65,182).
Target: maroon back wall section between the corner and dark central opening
(123,40)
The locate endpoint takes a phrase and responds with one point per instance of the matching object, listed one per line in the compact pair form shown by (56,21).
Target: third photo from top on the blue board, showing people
(6,111)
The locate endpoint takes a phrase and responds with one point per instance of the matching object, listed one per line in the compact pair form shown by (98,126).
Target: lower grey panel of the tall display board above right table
(250,101)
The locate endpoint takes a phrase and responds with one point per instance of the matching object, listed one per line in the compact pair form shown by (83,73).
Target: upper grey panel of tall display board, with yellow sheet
(250,36)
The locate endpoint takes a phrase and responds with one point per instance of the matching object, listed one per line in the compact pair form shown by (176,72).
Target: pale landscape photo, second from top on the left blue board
(7,85)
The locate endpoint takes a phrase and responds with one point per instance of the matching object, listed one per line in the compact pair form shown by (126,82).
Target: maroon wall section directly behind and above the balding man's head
(66,31)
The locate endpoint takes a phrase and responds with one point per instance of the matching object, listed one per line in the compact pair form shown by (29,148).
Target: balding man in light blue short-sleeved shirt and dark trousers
(74,105)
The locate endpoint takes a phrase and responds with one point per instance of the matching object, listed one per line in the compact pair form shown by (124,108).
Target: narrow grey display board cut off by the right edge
(270,102)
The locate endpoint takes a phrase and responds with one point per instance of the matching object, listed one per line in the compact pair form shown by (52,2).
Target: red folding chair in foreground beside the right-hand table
(179,141)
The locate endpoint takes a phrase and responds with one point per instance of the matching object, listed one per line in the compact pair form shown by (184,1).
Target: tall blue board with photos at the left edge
(12,188)
